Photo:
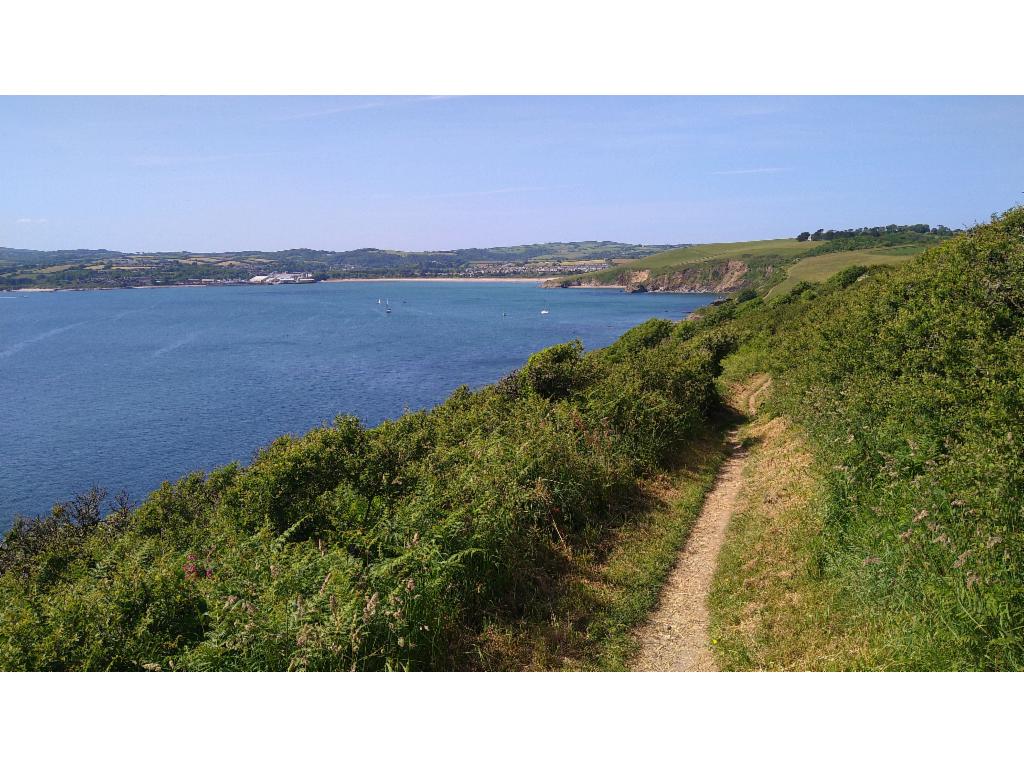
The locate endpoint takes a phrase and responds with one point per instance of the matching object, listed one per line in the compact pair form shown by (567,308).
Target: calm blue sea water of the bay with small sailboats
(124,390)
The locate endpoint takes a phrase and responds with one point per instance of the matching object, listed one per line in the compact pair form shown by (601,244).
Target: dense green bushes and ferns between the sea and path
(366,549)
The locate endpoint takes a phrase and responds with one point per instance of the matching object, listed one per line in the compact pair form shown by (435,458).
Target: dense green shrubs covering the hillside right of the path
(909,382)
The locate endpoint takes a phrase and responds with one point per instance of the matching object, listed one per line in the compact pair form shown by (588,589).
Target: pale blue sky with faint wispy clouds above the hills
(218,174)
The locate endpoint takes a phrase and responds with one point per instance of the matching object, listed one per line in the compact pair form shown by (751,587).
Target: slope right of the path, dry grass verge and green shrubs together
(901,546)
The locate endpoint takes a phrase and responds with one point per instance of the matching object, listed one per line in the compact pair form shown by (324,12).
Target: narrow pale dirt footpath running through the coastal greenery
(675,637)
